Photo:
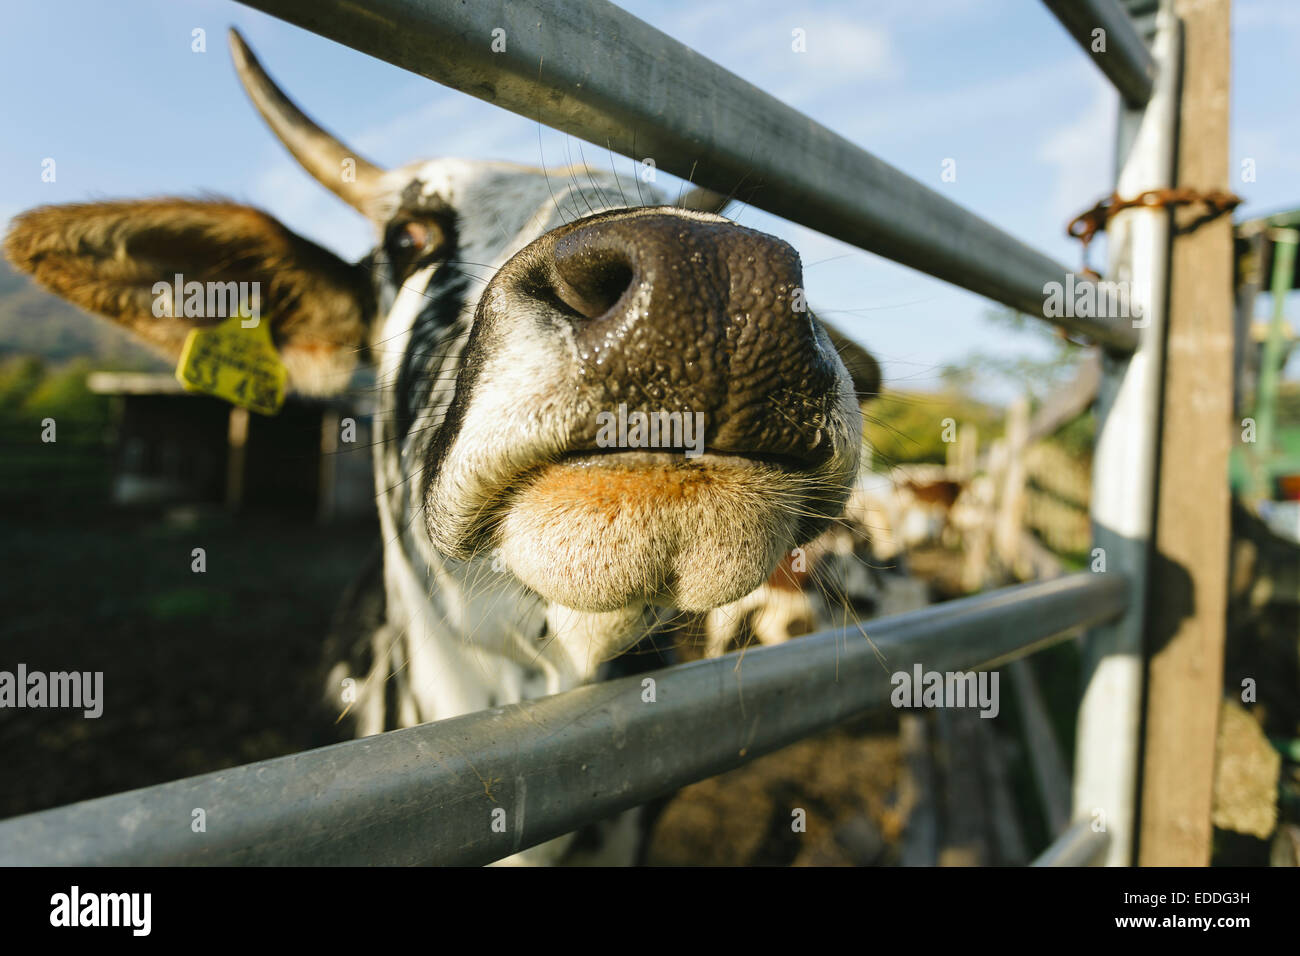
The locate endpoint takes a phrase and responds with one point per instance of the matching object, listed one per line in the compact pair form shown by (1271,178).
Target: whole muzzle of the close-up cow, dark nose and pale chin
(597,348)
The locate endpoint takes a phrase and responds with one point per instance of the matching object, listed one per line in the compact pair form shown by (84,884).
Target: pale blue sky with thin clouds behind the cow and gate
(114,94)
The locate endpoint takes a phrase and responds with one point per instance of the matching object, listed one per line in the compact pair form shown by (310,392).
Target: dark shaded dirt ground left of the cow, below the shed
(202,672)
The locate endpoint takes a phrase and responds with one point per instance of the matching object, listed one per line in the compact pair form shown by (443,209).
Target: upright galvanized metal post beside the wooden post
(1125,464)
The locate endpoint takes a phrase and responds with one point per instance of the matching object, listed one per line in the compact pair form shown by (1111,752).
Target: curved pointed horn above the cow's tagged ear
(350,178)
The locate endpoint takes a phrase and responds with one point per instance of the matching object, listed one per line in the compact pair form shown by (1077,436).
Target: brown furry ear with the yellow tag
(118,259)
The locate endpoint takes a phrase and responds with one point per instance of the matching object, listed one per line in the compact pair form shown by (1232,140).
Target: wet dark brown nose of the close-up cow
(694,315)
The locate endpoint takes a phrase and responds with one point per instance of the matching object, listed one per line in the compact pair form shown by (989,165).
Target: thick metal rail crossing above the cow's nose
(596,72)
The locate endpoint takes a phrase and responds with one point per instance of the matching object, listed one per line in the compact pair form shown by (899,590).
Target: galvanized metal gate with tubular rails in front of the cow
(424,794)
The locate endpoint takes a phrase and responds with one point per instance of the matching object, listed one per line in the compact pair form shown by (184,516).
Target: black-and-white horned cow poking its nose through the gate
(505,310)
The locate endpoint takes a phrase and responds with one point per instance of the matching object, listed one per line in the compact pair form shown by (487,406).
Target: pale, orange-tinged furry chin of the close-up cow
(601,533)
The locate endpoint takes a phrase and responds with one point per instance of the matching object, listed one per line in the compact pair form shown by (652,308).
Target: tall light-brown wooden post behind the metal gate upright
(1189,577)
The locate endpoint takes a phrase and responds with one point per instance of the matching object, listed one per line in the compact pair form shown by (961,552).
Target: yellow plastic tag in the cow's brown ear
(235,364)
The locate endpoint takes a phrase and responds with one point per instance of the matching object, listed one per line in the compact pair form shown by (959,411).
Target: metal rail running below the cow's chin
(428,794)
